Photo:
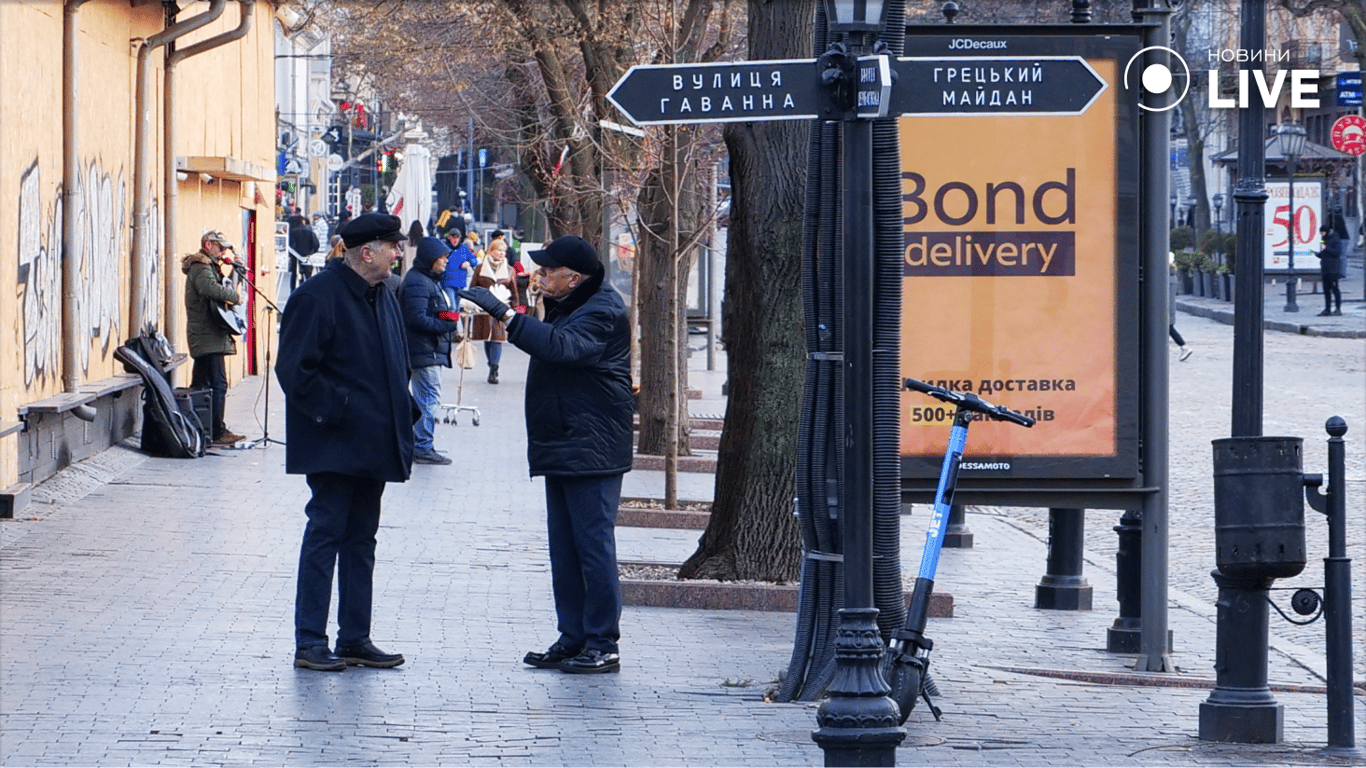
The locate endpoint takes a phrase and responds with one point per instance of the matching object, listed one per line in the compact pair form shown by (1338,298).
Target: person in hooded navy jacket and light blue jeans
(431,320)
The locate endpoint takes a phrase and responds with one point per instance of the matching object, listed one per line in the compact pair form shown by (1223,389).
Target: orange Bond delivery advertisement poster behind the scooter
(1014,279)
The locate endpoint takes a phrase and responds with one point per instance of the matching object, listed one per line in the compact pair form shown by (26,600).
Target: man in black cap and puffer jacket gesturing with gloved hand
(579,428)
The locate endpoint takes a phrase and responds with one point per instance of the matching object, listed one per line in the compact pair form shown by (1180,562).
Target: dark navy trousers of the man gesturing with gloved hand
(581,520)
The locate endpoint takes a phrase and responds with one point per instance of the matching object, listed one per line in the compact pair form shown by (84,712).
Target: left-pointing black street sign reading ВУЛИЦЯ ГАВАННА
(734,92)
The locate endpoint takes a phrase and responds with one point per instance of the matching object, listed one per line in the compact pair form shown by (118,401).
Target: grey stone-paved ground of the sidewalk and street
(145,616)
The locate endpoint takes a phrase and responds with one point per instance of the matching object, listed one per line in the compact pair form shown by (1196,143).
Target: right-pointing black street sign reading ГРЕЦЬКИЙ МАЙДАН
(995,85)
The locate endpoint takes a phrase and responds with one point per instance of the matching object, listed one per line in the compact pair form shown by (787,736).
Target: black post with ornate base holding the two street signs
(859,724)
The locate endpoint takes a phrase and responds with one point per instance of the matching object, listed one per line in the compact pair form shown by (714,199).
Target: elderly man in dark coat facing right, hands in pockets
(349,417)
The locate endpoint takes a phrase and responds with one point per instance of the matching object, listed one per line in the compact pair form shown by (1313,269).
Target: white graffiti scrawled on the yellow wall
(102,222)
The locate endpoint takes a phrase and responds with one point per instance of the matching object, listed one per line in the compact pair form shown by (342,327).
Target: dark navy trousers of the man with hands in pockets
(344,519)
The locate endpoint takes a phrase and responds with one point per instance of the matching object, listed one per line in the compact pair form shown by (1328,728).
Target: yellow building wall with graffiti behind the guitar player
(223,109)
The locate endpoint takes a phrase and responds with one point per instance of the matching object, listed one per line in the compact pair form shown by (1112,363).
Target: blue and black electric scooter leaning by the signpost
(909,676)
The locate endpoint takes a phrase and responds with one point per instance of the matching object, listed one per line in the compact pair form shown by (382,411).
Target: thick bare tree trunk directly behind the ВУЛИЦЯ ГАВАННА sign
(753,534)
